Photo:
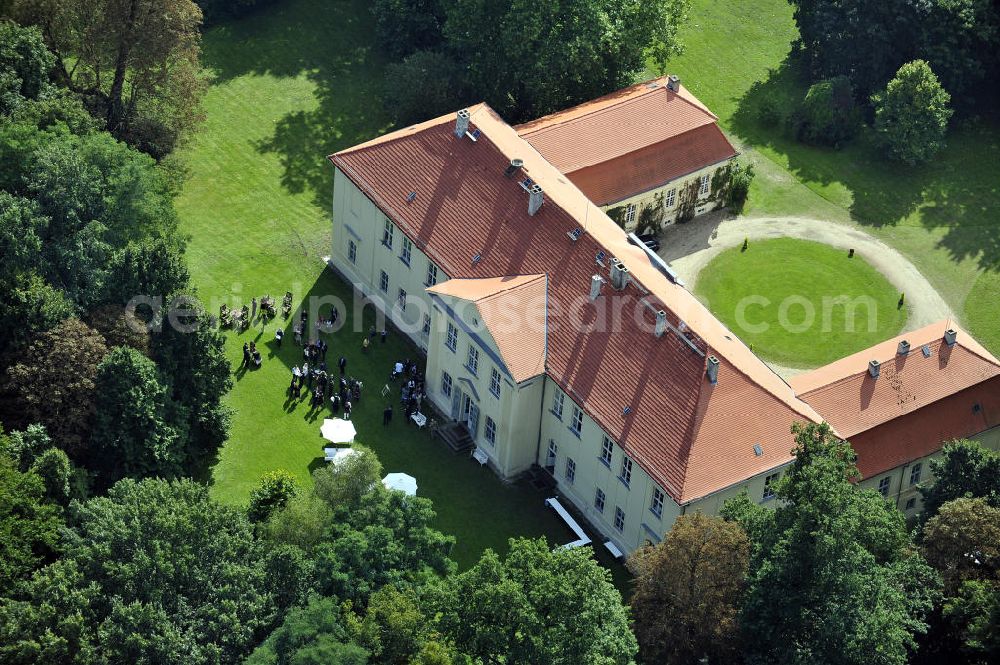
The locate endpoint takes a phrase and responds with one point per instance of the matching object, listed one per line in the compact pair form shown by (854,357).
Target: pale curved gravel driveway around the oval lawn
(689,247)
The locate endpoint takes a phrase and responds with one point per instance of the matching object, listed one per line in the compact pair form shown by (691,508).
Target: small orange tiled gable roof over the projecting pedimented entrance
(521,346)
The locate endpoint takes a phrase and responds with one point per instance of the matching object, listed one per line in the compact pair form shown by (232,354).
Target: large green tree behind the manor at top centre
(527,59)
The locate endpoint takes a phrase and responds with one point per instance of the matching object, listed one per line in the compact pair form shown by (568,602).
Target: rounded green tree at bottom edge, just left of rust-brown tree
(538,606)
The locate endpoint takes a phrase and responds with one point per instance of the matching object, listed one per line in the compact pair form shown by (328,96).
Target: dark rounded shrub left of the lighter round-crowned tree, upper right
(828,115)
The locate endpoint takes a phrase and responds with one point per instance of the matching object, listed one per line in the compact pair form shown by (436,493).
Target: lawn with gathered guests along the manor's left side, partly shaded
(292,84)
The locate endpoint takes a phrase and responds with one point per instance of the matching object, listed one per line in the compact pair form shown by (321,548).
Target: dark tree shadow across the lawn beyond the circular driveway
(955,191)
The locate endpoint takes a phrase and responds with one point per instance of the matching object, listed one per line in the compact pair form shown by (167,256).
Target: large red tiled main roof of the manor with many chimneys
(691,437)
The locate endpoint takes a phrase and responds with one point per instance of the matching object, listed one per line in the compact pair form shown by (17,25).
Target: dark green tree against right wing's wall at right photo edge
(964,469)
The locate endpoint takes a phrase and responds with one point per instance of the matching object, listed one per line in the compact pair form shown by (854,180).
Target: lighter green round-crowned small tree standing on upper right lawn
(911,114)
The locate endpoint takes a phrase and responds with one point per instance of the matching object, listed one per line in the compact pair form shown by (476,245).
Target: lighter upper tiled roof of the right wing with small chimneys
(853,401)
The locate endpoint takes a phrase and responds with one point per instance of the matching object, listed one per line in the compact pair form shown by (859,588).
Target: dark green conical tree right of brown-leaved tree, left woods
(134,434)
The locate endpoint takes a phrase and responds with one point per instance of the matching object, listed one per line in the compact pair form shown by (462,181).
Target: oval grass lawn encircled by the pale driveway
(800,303)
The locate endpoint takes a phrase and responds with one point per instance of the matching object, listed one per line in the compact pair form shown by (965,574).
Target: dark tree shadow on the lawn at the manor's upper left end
(332,44)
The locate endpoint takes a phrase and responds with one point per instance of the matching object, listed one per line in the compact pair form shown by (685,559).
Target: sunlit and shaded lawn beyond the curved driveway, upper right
(942,215)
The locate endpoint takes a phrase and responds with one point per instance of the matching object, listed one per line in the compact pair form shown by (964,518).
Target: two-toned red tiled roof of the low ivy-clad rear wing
(630,141)
